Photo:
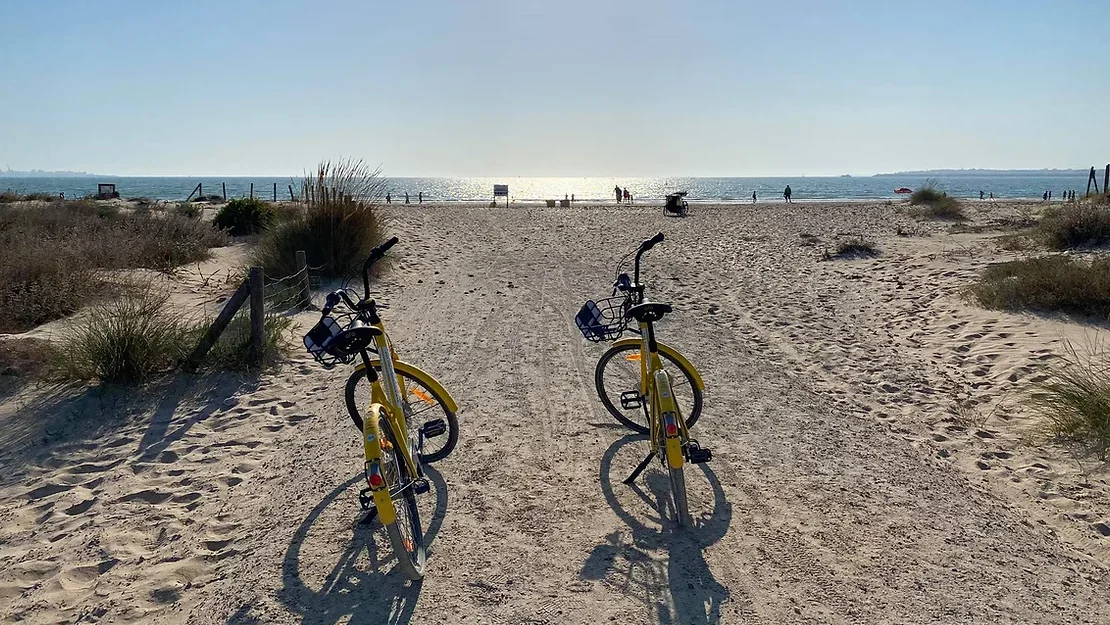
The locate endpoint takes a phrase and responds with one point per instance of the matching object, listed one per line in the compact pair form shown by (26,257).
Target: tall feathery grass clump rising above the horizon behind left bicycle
(340,224)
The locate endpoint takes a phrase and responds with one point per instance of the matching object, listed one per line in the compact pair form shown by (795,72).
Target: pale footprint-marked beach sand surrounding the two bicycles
(875,460)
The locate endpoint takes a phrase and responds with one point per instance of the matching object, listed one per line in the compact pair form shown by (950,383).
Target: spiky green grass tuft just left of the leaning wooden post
(126,340)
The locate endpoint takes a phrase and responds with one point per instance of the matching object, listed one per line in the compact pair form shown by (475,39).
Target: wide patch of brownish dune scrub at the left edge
(54,255)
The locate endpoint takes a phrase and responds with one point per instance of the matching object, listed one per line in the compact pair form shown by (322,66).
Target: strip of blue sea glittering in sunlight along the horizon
(726,190)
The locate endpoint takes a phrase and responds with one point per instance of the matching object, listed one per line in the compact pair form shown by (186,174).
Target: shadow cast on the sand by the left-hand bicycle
(351,593)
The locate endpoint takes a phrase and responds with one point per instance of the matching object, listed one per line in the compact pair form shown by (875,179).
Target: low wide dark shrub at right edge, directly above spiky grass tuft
(1050,284)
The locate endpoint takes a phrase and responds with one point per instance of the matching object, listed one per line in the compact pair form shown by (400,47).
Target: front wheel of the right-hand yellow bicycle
(619,372)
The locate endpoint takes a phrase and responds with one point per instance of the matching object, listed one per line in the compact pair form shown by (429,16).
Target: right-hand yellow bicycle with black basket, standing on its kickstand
(652,399)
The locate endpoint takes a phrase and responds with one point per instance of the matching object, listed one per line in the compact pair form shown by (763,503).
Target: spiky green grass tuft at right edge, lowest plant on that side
(1076,402)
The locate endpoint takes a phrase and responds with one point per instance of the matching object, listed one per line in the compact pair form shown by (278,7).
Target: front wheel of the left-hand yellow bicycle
(421,406)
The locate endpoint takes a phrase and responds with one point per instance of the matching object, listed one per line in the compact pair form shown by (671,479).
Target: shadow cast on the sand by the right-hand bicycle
(680,586)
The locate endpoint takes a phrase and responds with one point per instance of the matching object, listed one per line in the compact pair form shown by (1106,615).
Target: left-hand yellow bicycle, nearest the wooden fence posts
(402,415)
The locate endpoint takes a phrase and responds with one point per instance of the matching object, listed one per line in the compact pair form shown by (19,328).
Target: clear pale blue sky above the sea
(637,88)
